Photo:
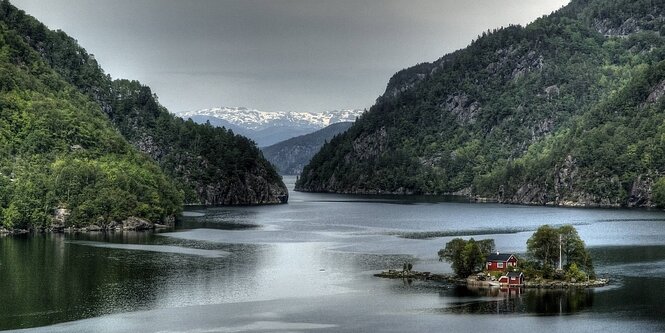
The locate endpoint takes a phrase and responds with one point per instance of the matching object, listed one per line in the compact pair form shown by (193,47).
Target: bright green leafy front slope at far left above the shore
(59,151)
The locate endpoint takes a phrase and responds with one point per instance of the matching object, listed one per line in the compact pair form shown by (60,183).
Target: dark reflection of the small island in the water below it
(495,300)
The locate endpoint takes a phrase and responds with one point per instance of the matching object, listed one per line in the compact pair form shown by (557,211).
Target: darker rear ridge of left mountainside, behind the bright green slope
(212,165)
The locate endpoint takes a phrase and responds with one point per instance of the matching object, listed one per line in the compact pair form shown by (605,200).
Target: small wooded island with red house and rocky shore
(555,258)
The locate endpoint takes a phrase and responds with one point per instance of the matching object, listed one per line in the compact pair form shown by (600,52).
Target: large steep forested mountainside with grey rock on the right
(564,111)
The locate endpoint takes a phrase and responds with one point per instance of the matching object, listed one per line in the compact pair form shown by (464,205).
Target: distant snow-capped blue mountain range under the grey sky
(268,128)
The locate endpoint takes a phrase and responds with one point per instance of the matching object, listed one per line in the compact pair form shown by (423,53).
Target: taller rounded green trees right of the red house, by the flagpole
(546,244)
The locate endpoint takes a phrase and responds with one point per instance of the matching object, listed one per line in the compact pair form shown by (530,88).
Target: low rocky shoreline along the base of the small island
(537,284)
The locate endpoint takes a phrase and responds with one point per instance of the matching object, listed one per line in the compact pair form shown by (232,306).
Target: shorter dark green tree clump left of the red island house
(466,257)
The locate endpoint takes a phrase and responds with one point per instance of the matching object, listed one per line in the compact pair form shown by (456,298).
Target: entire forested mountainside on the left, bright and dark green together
(74,140)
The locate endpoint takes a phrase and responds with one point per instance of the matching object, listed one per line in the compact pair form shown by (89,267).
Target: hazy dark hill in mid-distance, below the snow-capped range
(290,156)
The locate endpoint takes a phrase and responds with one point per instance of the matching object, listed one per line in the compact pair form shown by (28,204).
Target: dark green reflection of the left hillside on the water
(53,278)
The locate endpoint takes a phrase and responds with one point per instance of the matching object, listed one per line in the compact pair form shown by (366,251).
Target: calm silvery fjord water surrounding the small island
(308,265)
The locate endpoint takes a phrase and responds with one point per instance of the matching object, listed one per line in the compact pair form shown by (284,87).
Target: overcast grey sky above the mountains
(274,55)
